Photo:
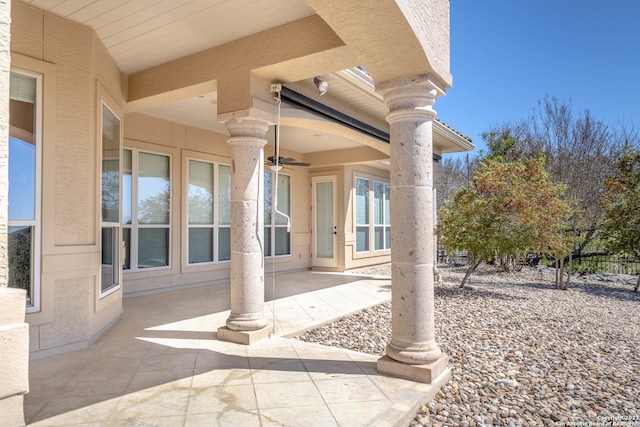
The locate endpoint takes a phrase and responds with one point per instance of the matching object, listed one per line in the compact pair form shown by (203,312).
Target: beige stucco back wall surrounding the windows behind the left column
(183,143)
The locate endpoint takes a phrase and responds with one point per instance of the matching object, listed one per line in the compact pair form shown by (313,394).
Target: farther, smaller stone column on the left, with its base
(247,230)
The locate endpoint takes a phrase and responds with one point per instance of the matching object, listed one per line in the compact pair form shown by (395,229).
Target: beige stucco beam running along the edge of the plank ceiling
(236,61)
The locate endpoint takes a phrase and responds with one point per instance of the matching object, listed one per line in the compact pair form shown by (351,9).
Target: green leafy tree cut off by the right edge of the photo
(621,225)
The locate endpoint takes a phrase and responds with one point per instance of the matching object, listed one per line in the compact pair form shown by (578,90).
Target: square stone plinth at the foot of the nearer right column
(436,372)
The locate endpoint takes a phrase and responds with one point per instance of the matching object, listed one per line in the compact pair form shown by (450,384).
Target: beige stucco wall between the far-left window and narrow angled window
(78,74)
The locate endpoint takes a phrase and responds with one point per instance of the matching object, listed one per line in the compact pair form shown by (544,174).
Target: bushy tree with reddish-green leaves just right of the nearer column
(507,210)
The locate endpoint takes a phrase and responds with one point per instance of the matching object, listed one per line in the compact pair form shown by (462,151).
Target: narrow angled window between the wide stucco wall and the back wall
(110,220)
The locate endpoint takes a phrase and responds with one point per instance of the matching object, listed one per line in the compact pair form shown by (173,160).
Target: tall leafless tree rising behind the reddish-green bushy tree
(579,150)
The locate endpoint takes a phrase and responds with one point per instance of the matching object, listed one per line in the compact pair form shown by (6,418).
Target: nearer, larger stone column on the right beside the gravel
(413,351)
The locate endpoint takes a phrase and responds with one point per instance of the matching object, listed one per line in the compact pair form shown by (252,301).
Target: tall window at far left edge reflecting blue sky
(25,116)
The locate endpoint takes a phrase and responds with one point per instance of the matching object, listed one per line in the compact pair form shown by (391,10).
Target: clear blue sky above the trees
(506,55)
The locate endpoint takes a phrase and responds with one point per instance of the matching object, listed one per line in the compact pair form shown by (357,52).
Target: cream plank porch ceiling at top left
(144,33)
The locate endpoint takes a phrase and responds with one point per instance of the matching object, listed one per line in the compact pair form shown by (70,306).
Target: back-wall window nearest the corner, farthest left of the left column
(146,203)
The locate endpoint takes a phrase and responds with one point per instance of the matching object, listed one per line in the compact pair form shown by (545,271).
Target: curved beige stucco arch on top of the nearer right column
(418,44)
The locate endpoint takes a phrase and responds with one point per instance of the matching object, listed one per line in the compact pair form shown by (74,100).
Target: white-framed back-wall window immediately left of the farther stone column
(209,212)
